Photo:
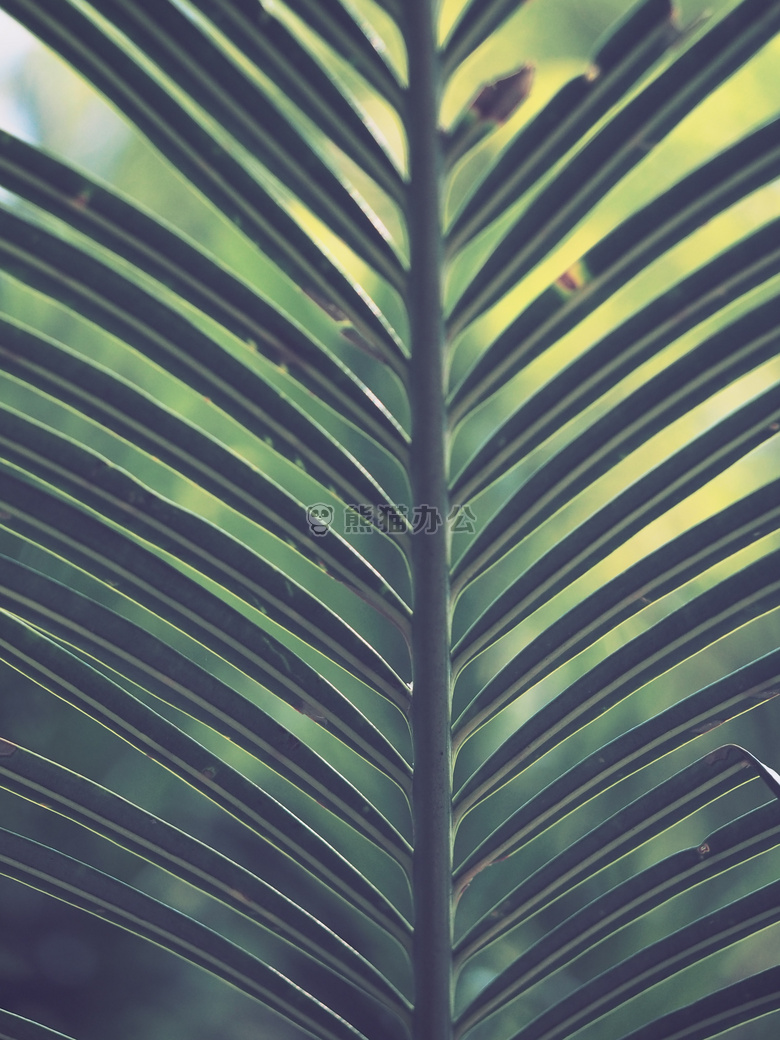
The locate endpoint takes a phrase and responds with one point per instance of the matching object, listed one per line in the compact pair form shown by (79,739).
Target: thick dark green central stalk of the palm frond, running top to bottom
(431,711)
